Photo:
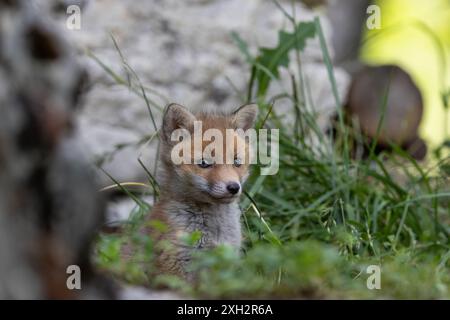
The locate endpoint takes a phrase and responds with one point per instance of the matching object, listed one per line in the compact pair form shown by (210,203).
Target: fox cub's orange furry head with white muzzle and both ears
(205,156)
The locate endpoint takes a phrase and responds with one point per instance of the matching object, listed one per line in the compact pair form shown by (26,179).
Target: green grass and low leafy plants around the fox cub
(312,229)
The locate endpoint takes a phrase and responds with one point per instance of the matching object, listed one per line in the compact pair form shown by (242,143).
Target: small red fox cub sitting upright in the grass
(201,195)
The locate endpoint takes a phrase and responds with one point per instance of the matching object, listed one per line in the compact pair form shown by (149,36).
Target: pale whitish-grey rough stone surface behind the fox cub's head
(183,51)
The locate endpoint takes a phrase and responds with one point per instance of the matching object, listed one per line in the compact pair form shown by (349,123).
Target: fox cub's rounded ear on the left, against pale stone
(176,117)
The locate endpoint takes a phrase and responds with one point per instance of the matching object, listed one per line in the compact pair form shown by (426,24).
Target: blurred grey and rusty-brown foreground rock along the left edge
(49,205)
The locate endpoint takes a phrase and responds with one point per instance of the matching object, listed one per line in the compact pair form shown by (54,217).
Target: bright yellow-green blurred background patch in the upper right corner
(415,34)
